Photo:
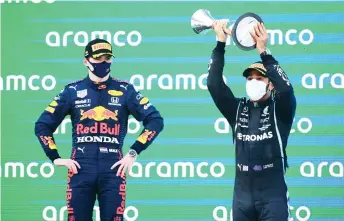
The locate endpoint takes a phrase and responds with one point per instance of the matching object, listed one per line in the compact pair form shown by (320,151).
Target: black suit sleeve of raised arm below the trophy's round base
(285,97)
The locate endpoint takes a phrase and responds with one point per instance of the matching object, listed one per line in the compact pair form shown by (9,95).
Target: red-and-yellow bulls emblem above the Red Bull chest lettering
(99,114)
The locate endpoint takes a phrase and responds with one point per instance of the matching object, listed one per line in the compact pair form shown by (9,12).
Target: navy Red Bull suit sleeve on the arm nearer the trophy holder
(143,111)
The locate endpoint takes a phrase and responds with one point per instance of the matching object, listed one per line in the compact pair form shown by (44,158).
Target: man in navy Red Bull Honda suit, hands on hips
(99,107)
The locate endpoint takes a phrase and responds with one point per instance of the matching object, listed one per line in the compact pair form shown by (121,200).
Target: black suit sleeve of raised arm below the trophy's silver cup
(222,95)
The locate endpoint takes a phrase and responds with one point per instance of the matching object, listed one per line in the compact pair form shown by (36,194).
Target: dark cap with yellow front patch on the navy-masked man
(97,48)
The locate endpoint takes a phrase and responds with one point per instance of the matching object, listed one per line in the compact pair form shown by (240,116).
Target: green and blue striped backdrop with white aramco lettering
(41,51)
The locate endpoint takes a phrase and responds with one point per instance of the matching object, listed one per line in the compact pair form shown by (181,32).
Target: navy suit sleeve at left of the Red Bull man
(48,122)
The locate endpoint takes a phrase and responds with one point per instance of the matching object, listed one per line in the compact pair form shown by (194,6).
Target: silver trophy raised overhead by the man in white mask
(202,22)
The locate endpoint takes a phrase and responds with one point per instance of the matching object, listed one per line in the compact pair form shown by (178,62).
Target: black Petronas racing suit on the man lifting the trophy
(260,134)
